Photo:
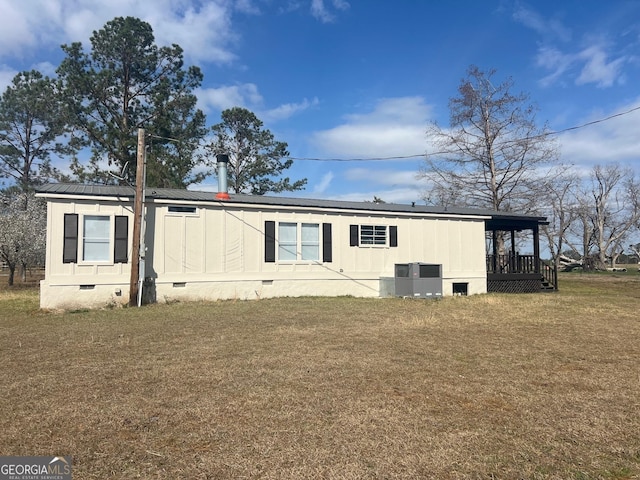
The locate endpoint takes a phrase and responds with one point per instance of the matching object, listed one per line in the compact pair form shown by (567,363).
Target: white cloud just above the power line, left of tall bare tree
(396,127)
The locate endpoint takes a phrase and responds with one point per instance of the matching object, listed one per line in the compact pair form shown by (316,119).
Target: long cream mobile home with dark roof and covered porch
(197,246)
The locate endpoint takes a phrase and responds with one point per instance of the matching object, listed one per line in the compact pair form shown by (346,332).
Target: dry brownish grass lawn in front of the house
(538,386)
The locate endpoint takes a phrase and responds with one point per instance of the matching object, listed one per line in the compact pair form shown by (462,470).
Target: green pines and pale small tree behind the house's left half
(90,113)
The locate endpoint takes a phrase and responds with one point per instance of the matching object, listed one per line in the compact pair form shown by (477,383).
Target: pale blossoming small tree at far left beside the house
(22,233)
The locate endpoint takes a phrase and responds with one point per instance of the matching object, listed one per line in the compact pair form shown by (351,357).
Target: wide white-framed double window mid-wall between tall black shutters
(298,242)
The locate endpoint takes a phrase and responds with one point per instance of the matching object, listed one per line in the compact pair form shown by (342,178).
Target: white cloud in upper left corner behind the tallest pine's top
(203,30)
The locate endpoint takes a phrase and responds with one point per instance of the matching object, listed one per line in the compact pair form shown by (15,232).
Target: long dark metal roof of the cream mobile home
(171,194)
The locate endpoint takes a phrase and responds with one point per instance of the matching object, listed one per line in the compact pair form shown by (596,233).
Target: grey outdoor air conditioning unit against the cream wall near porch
(419,280)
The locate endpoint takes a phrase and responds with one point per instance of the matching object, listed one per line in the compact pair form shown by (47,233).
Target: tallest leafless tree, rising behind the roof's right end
(494,153)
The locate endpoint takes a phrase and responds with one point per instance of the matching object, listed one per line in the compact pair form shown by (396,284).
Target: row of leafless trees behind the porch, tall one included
(495,155)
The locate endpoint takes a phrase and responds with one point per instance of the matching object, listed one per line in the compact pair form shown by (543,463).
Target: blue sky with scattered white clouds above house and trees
(360,79)
